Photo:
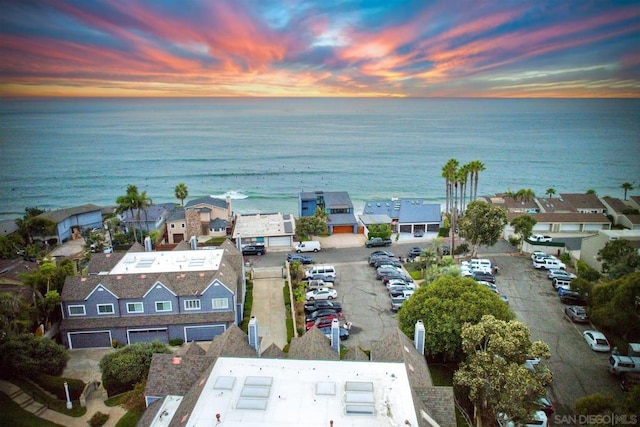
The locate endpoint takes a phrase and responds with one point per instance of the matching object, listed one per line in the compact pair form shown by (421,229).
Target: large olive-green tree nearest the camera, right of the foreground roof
(494,372)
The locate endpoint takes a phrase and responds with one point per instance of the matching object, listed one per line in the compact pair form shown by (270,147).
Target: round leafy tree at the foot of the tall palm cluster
(482,224)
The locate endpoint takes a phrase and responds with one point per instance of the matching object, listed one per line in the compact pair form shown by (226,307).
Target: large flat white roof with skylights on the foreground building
(286,392)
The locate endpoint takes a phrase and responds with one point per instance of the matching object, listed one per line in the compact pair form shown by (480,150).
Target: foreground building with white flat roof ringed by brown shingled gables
(236,383)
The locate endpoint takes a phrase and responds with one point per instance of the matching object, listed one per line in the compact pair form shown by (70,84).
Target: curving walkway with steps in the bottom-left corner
(95,403)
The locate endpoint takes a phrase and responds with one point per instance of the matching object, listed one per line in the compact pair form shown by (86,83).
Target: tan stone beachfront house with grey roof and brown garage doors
(204,218)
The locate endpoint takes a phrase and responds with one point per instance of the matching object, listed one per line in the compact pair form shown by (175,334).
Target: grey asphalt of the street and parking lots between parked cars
(577,370)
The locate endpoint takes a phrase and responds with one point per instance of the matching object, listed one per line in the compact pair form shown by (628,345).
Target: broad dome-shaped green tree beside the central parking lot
(444,306)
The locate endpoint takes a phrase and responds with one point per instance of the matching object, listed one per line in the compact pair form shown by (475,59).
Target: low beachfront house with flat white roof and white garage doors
(273,230)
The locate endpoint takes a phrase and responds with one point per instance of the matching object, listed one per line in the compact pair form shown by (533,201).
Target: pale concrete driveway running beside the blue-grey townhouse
(268,306)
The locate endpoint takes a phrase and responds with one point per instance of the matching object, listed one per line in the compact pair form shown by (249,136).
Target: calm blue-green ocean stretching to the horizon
(59,153)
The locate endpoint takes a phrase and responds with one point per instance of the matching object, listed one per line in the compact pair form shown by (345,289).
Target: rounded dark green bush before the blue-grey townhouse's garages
(126,367)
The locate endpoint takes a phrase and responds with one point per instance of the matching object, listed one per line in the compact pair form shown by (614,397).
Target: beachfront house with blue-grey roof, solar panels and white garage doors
(407,215)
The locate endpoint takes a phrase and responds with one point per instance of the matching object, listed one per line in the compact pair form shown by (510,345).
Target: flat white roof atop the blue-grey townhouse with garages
(170,261)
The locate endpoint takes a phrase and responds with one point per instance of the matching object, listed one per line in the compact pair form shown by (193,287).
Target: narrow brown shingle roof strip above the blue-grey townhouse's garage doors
(159,320)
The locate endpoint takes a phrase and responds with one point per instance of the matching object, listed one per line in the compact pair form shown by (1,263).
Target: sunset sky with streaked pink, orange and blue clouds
(320,48)
